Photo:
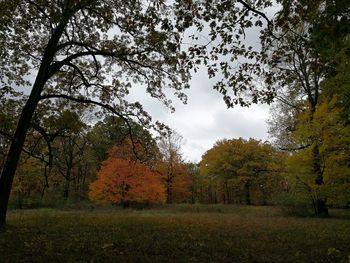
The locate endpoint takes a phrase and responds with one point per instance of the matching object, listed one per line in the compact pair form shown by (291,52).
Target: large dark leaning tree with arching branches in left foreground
(63,42)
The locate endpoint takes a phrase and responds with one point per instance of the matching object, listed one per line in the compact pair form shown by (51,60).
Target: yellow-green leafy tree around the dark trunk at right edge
(333,137)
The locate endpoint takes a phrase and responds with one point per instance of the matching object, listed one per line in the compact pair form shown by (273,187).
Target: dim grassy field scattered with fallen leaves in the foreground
(174,234)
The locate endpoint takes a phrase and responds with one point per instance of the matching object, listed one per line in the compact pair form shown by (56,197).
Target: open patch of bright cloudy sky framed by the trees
(205,118)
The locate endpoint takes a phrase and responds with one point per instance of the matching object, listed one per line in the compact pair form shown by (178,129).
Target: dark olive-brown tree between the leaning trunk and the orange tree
(60,143)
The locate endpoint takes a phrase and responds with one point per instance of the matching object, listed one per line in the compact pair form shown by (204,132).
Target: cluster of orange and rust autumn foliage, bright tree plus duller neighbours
(124,179)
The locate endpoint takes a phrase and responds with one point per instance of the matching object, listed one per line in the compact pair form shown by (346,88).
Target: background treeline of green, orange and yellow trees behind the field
(104,164)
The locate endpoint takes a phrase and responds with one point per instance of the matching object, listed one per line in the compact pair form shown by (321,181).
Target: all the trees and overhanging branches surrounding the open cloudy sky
(75,139)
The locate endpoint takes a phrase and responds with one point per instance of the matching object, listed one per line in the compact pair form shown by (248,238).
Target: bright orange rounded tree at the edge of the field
(124,181)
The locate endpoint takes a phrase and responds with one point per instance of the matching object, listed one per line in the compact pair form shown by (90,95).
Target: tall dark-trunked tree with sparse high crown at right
(309,35)
